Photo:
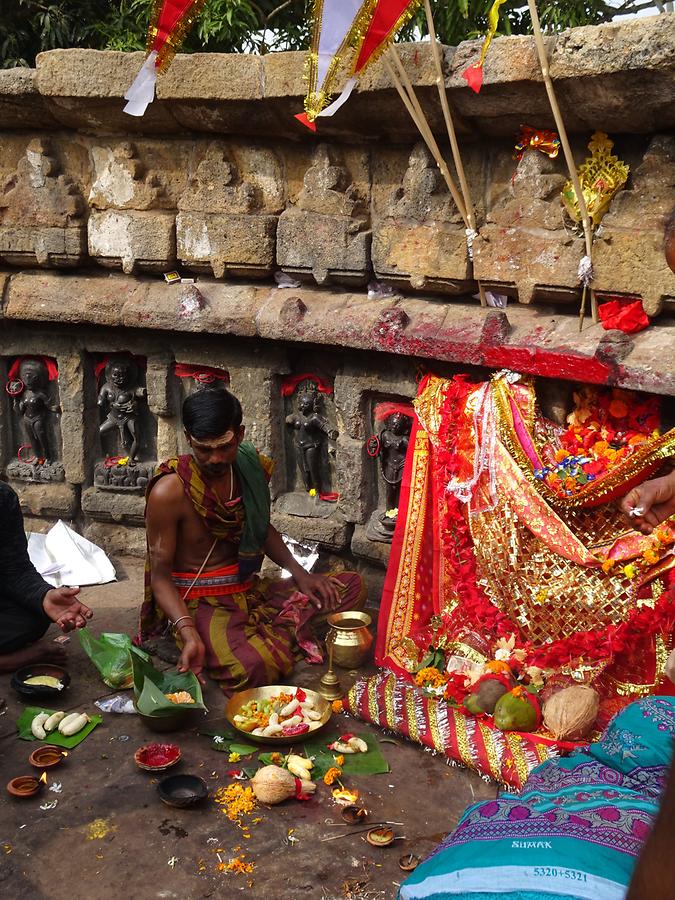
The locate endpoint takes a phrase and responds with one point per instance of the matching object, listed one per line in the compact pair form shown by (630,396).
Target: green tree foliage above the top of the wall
(28,27)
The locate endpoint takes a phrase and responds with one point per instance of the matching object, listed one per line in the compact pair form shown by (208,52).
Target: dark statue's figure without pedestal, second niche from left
(118,398)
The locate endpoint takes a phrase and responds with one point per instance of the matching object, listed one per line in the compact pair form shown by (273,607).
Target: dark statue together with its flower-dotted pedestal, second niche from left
(126,425)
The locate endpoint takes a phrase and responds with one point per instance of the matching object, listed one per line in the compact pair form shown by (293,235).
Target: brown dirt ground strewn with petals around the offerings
(109,831)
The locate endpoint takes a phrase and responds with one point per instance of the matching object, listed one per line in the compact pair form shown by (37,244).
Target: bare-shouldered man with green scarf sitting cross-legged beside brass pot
(208,527)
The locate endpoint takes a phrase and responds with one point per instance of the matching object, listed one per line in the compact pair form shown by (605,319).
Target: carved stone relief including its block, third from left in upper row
(226,220)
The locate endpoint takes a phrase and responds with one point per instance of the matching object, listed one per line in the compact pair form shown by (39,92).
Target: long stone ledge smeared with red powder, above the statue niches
(530,339)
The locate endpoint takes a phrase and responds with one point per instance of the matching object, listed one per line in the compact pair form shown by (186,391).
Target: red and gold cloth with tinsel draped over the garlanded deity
(508,532)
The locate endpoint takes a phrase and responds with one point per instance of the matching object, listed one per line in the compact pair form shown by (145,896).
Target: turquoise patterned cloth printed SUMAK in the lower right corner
(573,833)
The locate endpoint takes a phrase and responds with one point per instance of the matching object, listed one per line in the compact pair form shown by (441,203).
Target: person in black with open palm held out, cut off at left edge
(28,605)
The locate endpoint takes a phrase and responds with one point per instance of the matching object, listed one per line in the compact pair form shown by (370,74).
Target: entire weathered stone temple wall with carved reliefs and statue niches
(219,181)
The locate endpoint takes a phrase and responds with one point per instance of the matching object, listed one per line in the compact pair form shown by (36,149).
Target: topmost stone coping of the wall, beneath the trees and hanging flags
(618,77)
